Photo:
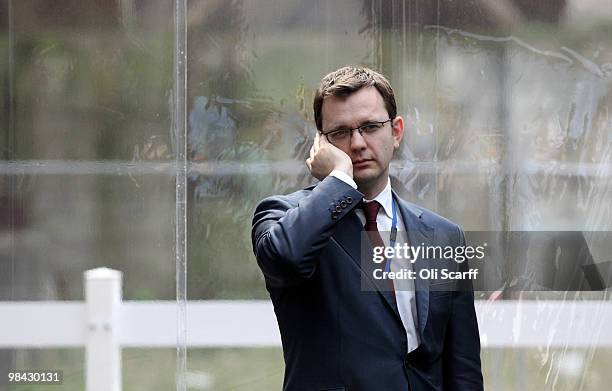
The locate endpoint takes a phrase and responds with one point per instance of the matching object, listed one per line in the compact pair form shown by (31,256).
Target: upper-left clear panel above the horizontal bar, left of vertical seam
(90,81)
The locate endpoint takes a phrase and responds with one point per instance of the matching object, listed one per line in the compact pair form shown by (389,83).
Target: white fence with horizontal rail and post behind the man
(104,324)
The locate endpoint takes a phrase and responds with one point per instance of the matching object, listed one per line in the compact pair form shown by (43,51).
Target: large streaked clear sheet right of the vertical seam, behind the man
(507,129)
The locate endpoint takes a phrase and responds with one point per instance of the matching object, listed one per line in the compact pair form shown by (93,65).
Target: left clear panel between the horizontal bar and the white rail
(64,224)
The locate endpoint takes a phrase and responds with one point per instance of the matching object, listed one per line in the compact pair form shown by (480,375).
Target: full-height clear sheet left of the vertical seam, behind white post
(86,170)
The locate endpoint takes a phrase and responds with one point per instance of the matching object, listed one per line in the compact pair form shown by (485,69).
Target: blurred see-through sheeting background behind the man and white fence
(507,105)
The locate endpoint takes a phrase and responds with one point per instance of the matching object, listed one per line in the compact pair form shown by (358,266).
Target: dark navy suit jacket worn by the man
(337,336)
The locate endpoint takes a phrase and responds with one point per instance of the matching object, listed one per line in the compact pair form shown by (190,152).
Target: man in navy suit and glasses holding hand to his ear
(420,334)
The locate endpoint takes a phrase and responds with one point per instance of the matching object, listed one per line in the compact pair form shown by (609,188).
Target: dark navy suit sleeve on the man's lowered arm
(462,370)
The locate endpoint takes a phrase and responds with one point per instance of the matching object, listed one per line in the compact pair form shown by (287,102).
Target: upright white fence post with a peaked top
(103,351)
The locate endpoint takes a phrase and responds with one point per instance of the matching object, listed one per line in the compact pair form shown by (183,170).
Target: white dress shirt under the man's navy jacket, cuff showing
(404,289)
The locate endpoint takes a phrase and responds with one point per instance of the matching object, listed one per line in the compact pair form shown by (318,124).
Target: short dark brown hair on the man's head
(345,81)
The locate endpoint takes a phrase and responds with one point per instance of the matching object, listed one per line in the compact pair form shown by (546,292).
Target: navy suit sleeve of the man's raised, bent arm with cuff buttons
(289,232)
